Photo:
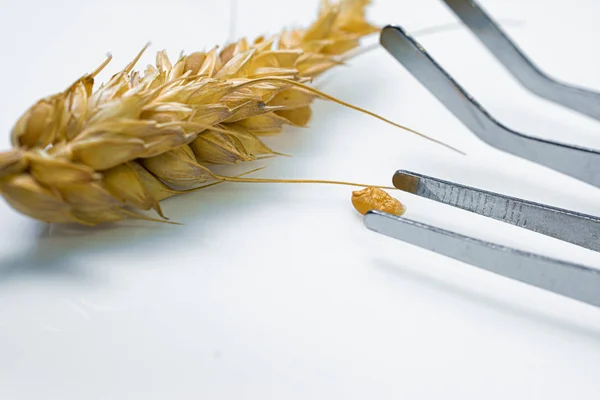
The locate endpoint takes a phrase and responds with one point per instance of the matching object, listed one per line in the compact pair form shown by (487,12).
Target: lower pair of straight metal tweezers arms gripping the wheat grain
(579,282)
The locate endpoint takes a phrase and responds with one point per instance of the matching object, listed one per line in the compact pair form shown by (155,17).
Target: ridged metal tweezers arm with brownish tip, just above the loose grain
(566,225)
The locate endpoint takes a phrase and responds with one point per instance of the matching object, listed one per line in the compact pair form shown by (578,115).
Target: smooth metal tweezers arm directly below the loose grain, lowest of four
(572,280)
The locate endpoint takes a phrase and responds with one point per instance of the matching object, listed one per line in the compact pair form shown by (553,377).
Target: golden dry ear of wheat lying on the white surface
(91,156)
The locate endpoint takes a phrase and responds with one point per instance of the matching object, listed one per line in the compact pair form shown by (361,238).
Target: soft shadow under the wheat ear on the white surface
(57,251)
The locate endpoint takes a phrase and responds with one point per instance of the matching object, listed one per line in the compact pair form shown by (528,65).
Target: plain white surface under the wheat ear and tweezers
(279,292)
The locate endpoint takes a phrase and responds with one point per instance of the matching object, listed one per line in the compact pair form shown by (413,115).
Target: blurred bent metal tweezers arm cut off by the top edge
(519,65)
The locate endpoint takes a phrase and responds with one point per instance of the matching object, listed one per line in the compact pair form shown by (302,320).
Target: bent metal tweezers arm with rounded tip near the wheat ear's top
(574,161)
